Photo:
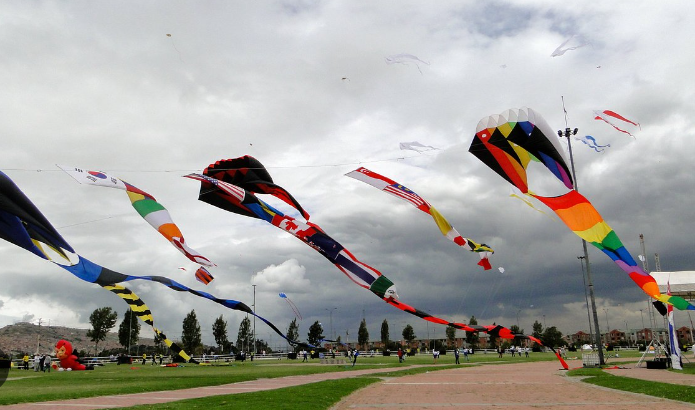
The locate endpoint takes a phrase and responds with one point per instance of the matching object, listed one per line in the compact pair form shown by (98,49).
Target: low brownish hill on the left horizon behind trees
(23,337)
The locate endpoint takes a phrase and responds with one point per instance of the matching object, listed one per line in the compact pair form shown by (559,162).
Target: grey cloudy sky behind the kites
(304,87)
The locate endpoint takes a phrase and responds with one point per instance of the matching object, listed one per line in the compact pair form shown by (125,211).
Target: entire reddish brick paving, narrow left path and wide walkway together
(515,386)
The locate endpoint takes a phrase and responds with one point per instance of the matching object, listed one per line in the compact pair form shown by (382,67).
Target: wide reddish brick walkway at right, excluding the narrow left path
(515,386)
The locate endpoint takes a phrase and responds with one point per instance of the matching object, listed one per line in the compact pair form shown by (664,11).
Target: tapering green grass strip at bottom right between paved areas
(664,390)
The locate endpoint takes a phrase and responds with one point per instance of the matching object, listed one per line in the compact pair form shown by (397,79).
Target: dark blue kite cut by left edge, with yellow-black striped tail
(22,224)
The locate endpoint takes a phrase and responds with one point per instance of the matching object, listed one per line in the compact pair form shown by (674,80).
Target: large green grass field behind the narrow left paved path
(28,386)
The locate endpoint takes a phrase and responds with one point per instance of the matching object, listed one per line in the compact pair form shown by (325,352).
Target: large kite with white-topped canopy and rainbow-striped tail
(500,143)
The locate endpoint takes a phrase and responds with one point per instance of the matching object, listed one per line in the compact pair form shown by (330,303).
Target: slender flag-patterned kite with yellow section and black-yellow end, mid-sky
(391,187)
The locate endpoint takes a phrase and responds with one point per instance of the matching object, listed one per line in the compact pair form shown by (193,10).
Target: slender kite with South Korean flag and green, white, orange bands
(149,209)
